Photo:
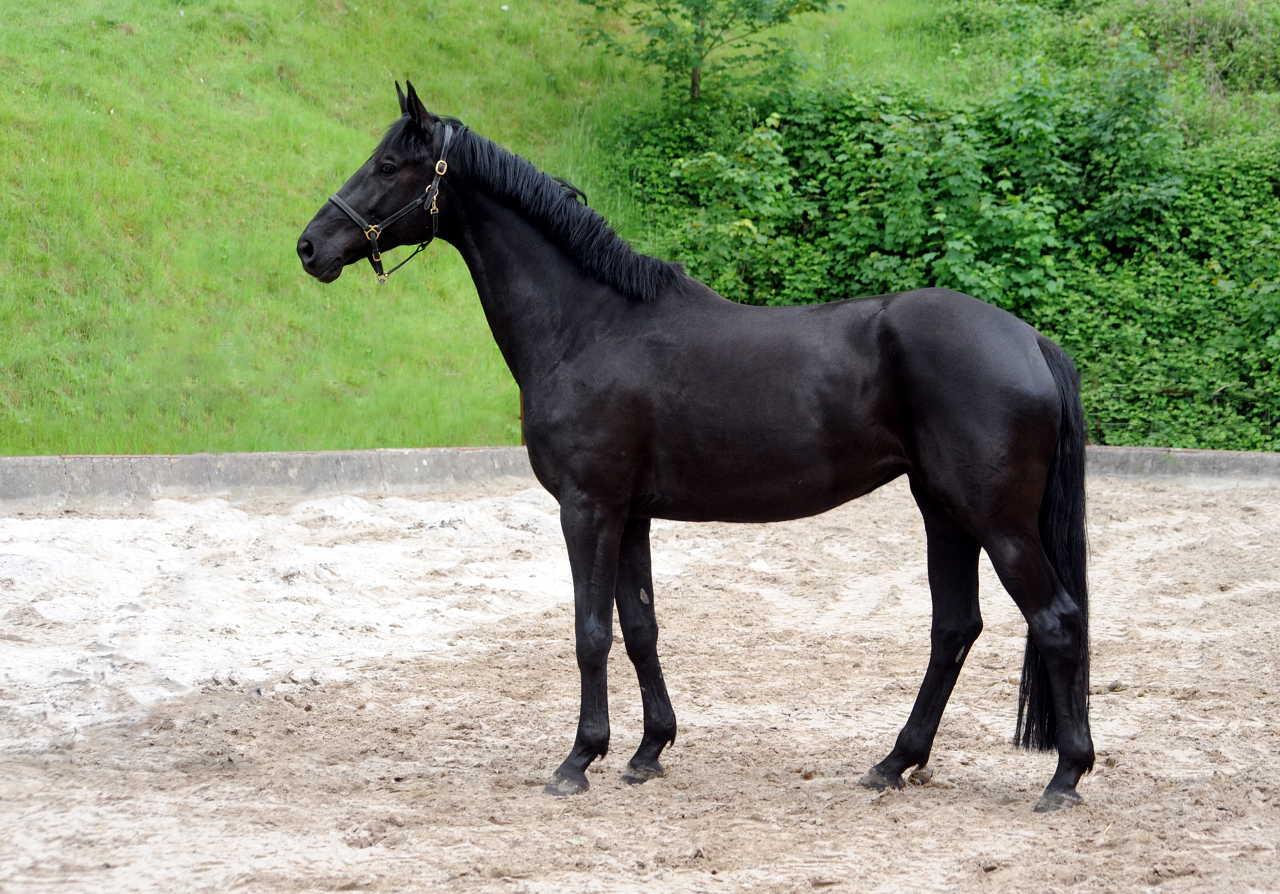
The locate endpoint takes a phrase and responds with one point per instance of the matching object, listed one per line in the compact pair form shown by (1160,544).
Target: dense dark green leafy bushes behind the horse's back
(1068,198)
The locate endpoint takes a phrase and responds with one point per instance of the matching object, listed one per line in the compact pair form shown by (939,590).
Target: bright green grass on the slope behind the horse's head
(158,162)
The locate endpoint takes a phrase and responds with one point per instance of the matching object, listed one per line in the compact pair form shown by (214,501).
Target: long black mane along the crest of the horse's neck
(552,207)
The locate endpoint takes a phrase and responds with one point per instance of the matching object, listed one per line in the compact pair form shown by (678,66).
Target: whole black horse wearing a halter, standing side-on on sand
(648,396)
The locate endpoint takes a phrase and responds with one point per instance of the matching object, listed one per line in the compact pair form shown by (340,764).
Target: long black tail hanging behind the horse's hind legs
(1062,530)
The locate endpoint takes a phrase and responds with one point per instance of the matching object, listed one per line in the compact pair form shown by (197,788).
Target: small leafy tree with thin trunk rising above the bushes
(682,37)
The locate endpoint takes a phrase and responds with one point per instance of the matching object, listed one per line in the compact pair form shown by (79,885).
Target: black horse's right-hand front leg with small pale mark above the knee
(636,599)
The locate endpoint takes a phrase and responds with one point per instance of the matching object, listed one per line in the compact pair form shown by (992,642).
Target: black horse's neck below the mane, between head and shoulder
(538,303)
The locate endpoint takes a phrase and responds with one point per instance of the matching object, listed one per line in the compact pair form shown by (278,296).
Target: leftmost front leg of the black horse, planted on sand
(592,535)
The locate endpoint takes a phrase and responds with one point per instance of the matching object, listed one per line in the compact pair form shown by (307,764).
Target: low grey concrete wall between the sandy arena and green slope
(53,482)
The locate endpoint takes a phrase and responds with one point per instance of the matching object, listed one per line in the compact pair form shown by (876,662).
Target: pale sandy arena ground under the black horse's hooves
(368,695)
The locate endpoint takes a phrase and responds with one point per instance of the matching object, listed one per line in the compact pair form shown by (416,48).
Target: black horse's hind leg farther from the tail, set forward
(957,624)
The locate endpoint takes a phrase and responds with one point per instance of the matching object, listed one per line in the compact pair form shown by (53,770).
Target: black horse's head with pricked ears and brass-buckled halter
(392,200)
